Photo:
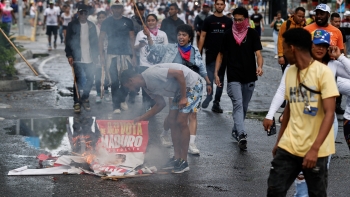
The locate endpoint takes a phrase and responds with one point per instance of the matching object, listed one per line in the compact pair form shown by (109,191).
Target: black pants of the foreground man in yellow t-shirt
(285,167)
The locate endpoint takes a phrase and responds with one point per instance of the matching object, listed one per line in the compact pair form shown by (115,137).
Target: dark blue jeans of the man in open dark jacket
(80,69)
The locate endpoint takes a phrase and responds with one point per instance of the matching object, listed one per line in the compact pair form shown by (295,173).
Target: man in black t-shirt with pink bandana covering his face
(240,46)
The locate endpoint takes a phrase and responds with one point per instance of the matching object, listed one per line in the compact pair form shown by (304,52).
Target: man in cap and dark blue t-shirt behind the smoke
(120,52)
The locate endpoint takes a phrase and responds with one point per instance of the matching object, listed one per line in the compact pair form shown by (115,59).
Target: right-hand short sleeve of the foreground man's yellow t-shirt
(328,85)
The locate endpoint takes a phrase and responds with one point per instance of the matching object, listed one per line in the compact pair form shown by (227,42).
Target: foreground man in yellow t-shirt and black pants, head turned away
(306,136)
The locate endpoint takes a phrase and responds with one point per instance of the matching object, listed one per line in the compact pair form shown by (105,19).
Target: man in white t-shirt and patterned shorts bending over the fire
(170,80)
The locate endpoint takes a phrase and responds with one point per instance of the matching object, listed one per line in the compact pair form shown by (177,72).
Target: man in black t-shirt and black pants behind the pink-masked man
(212,32)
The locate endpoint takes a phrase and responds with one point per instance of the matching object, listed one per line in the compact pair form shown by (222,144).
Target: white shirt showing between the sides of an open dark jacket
(84,43)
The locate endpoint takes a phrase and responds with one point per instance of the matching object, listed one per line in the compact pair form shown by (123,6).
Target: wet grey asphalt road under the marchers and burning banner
(221,169)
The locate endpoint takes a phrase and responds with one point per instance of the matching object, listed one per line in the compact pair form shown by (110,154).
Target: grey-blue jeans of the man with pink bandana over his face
(240,95)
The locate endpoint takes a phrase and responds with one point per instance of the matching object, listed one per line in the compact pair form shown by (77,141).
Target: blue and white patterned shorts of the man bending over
(194,98)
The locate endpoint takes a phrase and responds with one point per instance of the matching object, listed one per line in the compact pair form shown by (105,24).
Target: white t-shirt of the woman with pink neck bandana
(147,59)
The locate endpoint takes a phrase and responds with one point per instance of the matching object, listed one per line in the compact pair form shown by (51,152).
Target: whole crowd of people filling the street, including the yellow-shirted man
(149,47)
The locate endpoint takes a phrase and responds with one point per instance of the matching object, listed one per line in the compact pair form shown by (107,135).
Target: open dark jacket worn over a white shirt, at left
(73,41)
